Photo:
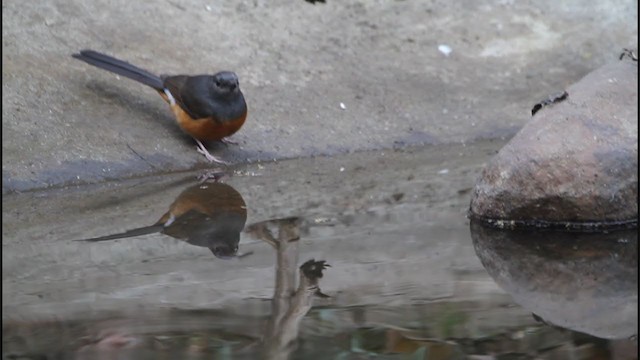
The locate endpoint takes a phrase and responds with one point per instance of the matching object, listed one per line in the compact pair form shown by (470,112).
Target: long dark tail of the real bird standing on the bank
(119,67)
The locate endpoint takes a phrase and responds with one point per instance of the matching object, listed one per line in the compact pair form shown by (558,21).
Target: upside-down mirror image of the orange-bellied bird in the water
(210,215)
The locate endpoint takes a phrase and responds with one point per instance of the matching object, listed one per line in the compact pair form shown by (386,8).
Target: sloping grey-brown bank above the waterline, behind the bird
(64,122)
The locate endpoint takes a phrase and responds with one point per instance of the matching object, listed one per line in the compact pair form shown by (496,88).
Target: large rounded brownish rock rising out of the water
(575,162)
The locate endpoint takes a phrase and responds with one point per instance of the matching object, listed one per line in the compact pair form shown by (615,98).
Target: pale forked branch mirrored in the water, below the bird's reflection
(290,303)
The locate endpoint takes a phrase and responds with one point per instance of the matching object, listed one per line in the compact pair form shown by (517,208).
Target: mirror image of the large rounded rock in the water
(585,282)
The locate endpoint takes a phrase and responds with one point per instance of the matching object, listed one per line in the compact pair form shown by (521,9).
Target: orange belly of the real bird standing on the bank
(206,129)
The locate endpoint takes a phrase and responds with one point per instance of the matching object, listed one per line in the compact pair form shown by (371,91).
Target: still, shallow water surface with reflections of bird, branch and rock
(409,276)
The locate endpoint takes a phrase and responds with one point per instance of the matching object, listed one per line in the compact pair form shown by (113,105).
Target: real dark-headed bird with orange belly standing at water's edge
(206,107)
